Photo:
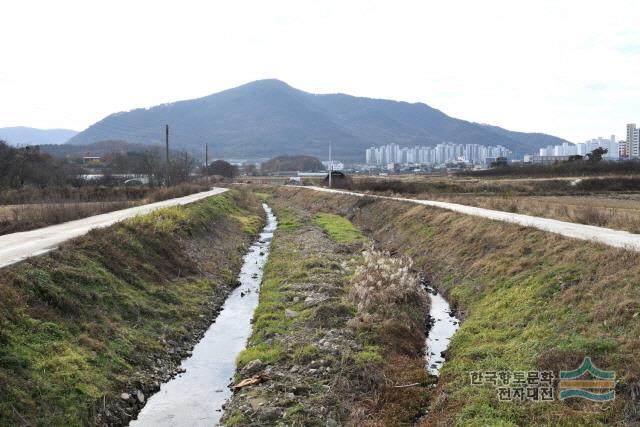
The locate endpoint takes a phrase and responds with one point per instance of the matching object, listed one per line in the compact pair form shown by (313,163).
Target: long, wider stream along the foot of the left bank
(195,398)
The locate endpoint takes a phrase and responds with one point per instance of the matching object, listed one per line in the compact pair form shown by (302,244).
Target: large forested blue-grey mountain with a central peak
(268,117)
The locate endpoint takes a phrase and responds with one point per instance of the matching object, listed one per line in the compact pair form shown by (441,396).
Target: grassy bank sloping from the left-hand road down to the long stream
(79,325)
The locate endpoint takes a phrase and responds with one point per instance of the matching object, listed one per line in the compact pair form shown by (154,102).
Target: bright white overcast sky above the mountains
(569,68)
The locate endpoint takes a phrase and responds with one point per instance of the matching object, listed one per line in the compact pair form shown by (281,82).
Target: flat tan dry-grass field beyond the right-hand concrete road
(611,202)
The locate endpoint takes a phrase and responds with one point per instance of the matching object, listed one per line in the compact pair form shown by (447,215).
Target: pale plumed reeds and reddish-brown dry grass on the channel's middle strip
(392,307)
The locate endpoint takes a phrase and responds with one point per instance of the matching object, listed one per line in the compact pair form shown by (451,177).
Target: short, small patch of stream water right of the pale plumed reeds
(443,325)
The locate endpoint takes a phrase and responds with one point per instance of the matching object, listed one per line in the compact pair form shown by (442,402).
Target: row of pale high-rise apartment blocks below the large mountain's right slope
(440,154)
